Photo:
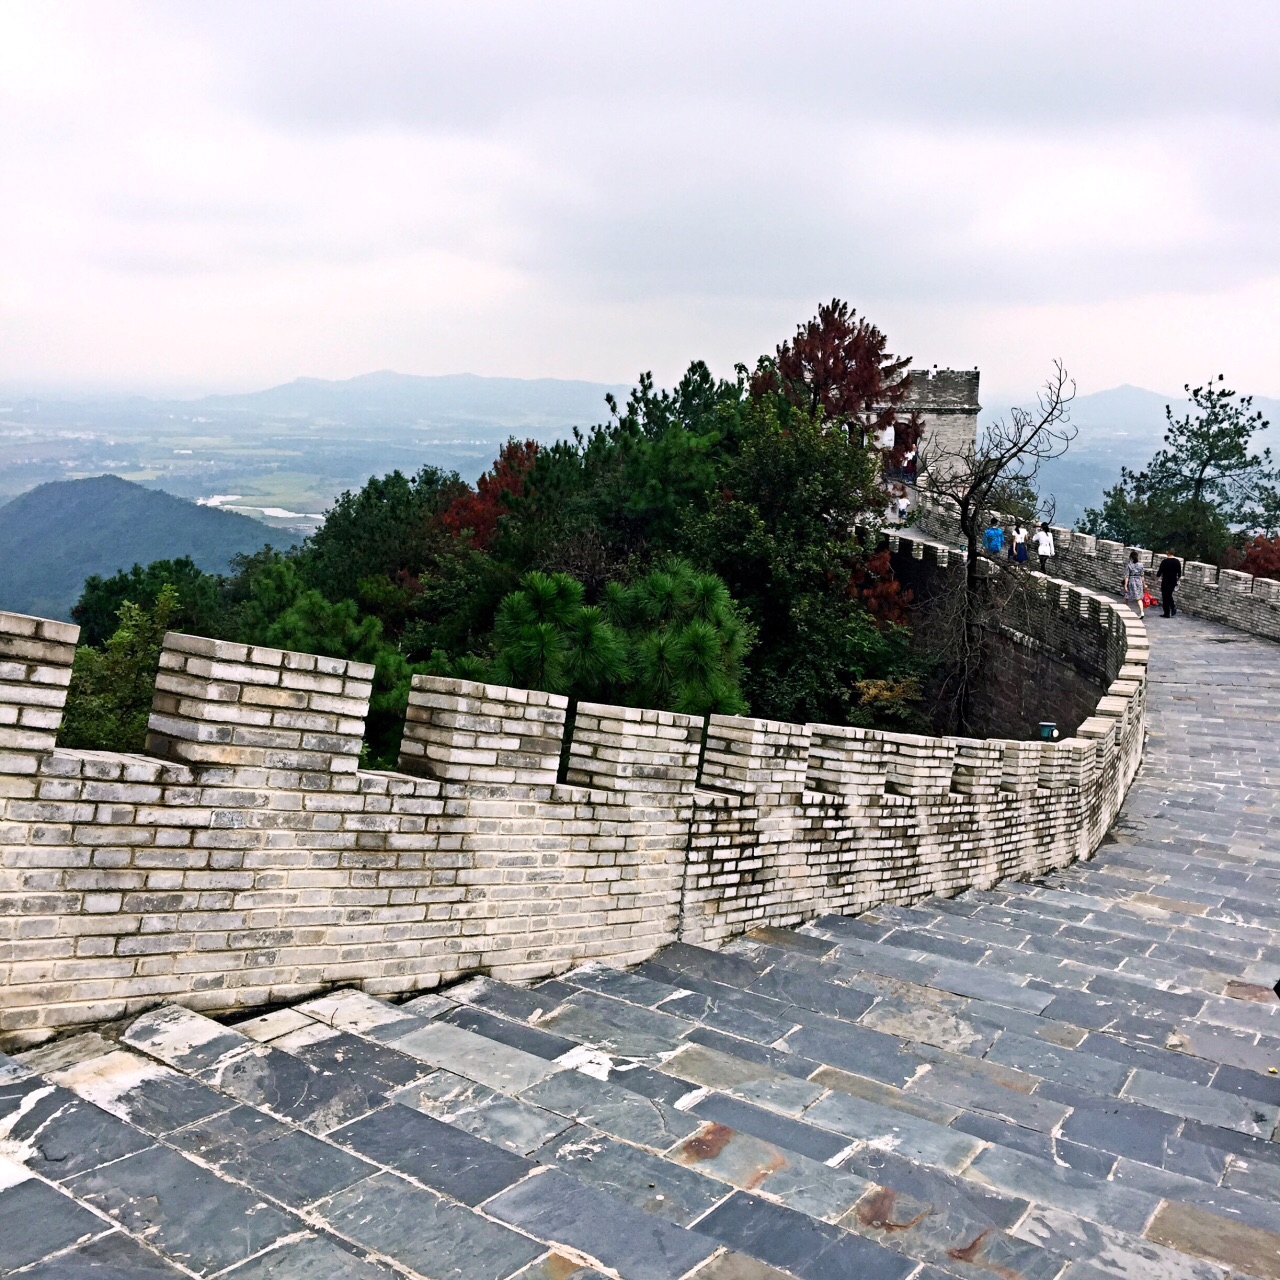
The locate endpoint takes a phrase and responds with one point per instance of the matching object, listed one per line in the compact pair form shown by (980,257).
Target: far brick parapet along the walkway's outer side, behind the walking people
(1206,592)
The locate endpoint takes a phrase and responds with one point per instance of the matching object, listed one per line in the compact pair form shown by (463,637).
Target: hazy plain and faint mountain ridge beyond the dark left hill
(285,454)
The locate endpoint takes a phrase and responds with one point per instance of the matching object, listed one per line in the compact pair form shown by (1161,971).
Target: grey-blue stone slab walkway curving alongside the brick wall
(1075,1078)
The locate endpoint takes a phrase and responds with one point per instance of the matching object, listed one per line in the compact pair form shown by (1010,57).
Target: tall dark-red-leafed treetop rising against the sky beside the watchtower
(839,364)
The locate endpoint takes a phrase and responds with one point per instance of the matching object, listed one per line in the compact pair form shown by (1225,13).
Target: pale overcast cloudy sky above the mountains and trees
(222,196)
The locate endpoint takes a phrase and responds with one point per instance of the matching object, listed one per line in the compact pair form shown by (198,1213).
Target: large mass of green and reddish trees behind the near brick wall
(696,552)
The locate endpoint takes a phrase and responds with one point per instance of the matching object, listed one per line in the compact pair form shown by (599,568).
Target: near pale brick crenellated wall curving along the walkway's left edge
(248,858)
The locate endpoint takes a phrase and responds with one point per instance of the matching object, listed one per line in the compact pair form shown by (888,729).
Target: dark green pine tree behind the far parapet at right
(1205,492)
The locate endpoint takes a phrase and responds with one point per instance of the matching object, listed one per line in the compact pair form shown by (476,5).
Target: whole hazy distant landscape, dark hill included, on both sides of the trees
(285,454)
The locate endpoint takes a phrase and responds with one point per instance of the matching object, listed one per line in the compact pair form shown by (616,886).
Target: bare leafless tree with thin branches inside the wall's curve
(1007,458)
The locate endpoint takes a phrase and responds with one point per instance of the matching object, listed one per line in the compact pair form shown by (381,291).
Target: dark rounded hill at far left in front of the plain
(53,537)
